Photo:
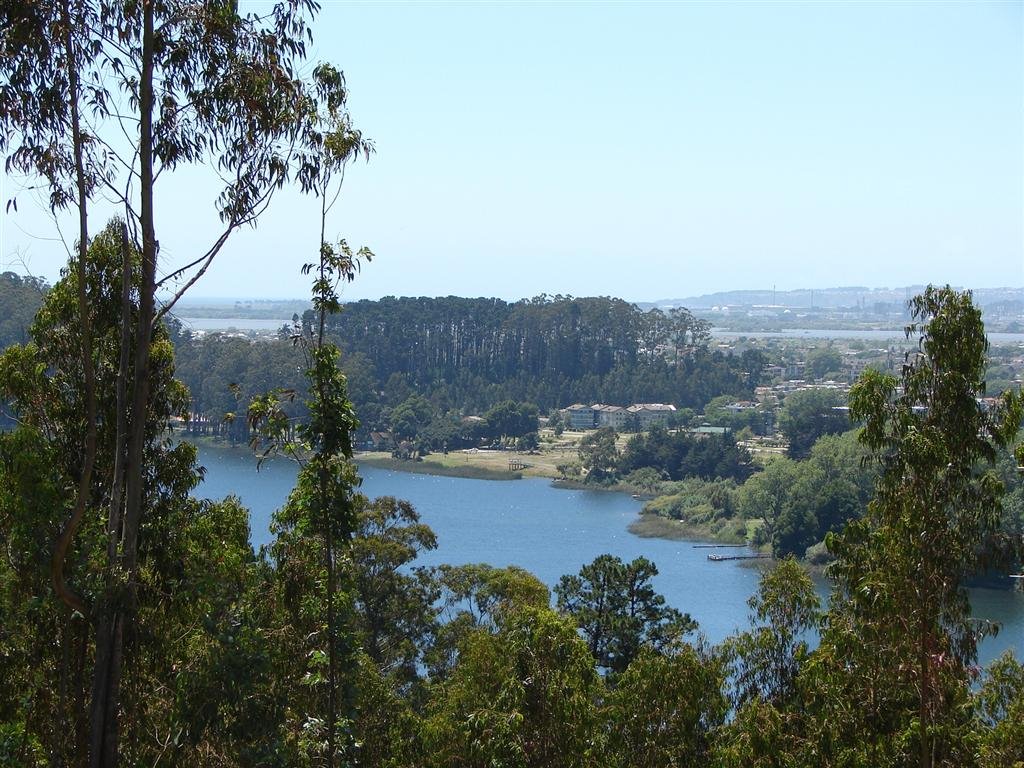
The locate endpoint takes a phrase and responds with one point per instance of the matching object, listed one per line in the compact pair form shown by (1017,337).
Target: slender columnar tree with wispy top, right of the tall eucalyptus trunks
(323,508)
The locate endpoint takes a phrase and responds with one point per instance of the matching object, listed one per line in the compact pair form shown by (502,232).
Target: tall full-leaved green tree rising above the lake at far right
(932,525)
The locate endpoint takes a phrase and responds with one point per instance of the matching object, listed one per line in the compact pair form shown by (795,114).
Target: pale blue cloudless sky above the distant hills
(645,151)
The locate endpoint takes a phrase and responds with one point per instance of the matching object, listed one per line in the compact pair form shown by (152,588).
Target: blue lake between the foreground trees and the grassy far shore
(552,532)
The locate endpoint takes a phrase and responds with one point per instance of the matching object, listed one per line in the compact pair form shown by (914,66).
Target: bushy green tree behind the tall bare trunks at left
(195,560)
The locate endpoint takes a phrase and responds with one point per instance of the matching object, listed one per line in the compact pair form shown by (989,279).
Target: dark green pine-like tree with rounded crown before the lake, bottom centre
(619,612)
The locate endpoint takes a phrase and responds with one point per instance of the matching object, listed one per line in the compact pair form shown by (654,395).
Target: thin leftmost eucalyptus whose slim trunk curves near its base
(49,74)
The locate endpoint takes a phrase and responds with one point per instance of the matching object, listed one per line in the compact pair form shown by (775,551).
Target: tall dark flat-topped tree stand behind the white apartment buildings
(553,352)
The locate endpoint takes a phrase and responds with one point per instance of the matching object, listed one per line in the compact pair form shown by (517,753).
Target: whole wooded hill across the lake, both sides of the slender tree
(465,357)
